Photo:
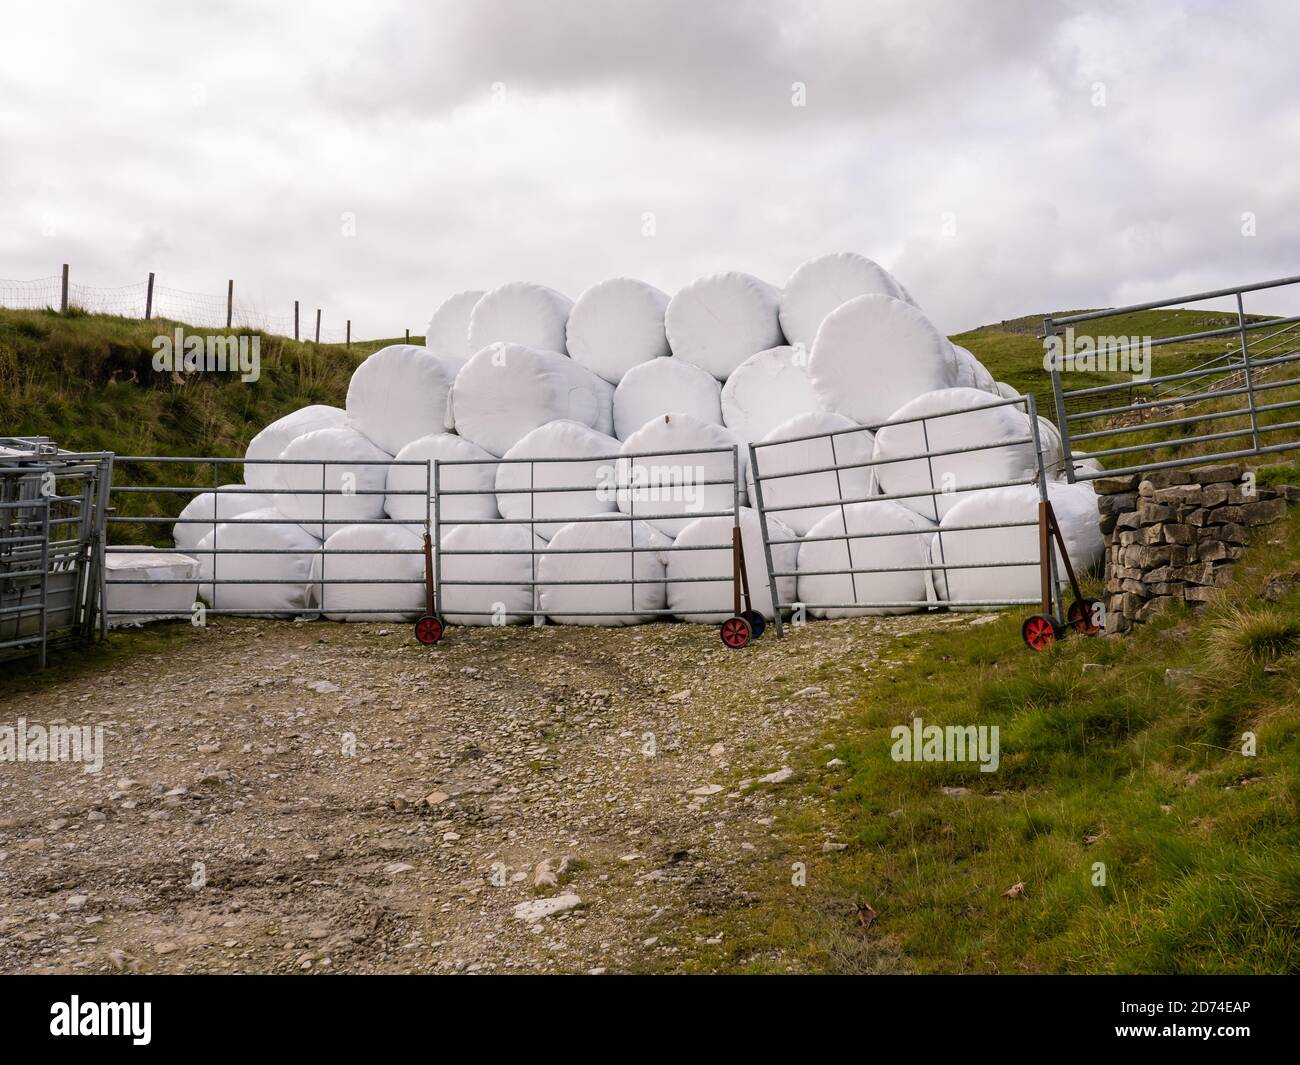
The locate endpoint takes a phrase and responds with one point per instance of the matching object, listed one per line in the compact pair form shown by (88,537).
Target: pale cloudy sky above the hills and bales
(372,158)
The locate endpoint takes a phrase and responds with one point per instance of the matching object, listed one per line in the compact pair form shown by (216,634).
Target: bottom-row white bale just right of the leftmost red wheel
(500,570)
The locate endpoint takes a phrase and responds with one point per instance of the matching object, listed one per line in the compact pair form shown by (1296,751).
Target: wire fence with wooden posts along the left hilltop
(148,300)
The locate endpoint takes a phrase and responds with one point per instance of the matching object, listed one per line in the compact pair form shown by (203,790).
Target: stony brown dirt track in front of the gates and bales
(239,826)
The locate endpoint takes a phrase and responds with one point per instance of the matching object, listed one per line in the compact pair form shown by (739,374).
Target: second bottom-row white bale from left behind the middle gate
(603,552)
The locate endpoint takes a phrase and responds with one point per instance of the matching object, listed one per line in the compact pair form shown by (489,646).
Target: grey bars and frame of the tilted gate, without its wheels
(1051,600)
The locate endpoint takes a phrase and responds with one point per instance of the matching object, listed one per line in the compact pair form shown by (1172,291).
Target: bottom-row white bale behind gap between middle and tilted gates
(700,582)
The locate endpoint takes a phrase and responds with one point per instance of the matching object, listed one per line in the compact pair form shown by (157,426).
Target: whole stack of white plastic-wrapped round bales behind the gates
(519,392)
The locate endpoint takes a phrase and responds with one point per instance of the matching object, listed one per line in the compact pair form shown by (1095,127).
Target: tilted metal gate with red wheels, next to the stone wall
(879,517)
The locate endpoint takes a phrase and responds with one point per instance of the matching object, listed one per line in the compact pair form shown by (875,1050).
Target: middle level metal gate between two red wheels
(629,505)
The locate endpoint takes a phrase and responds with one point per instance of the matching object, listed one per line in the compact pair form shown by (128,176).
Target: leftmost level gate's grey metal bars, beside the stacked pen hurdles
(216,552)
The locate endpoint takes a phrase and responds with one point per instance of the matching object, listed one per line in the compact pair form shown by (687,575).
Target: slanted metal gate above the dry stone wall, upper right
(1241,373)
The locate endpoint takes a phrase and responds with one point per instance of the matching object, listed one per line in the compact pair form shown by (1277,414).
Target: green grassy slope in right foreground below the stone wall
(1103,761)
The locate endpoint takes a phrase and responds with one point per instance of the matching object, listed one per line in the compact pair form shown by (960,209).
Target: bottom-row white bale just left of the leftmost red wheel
(395,553)
